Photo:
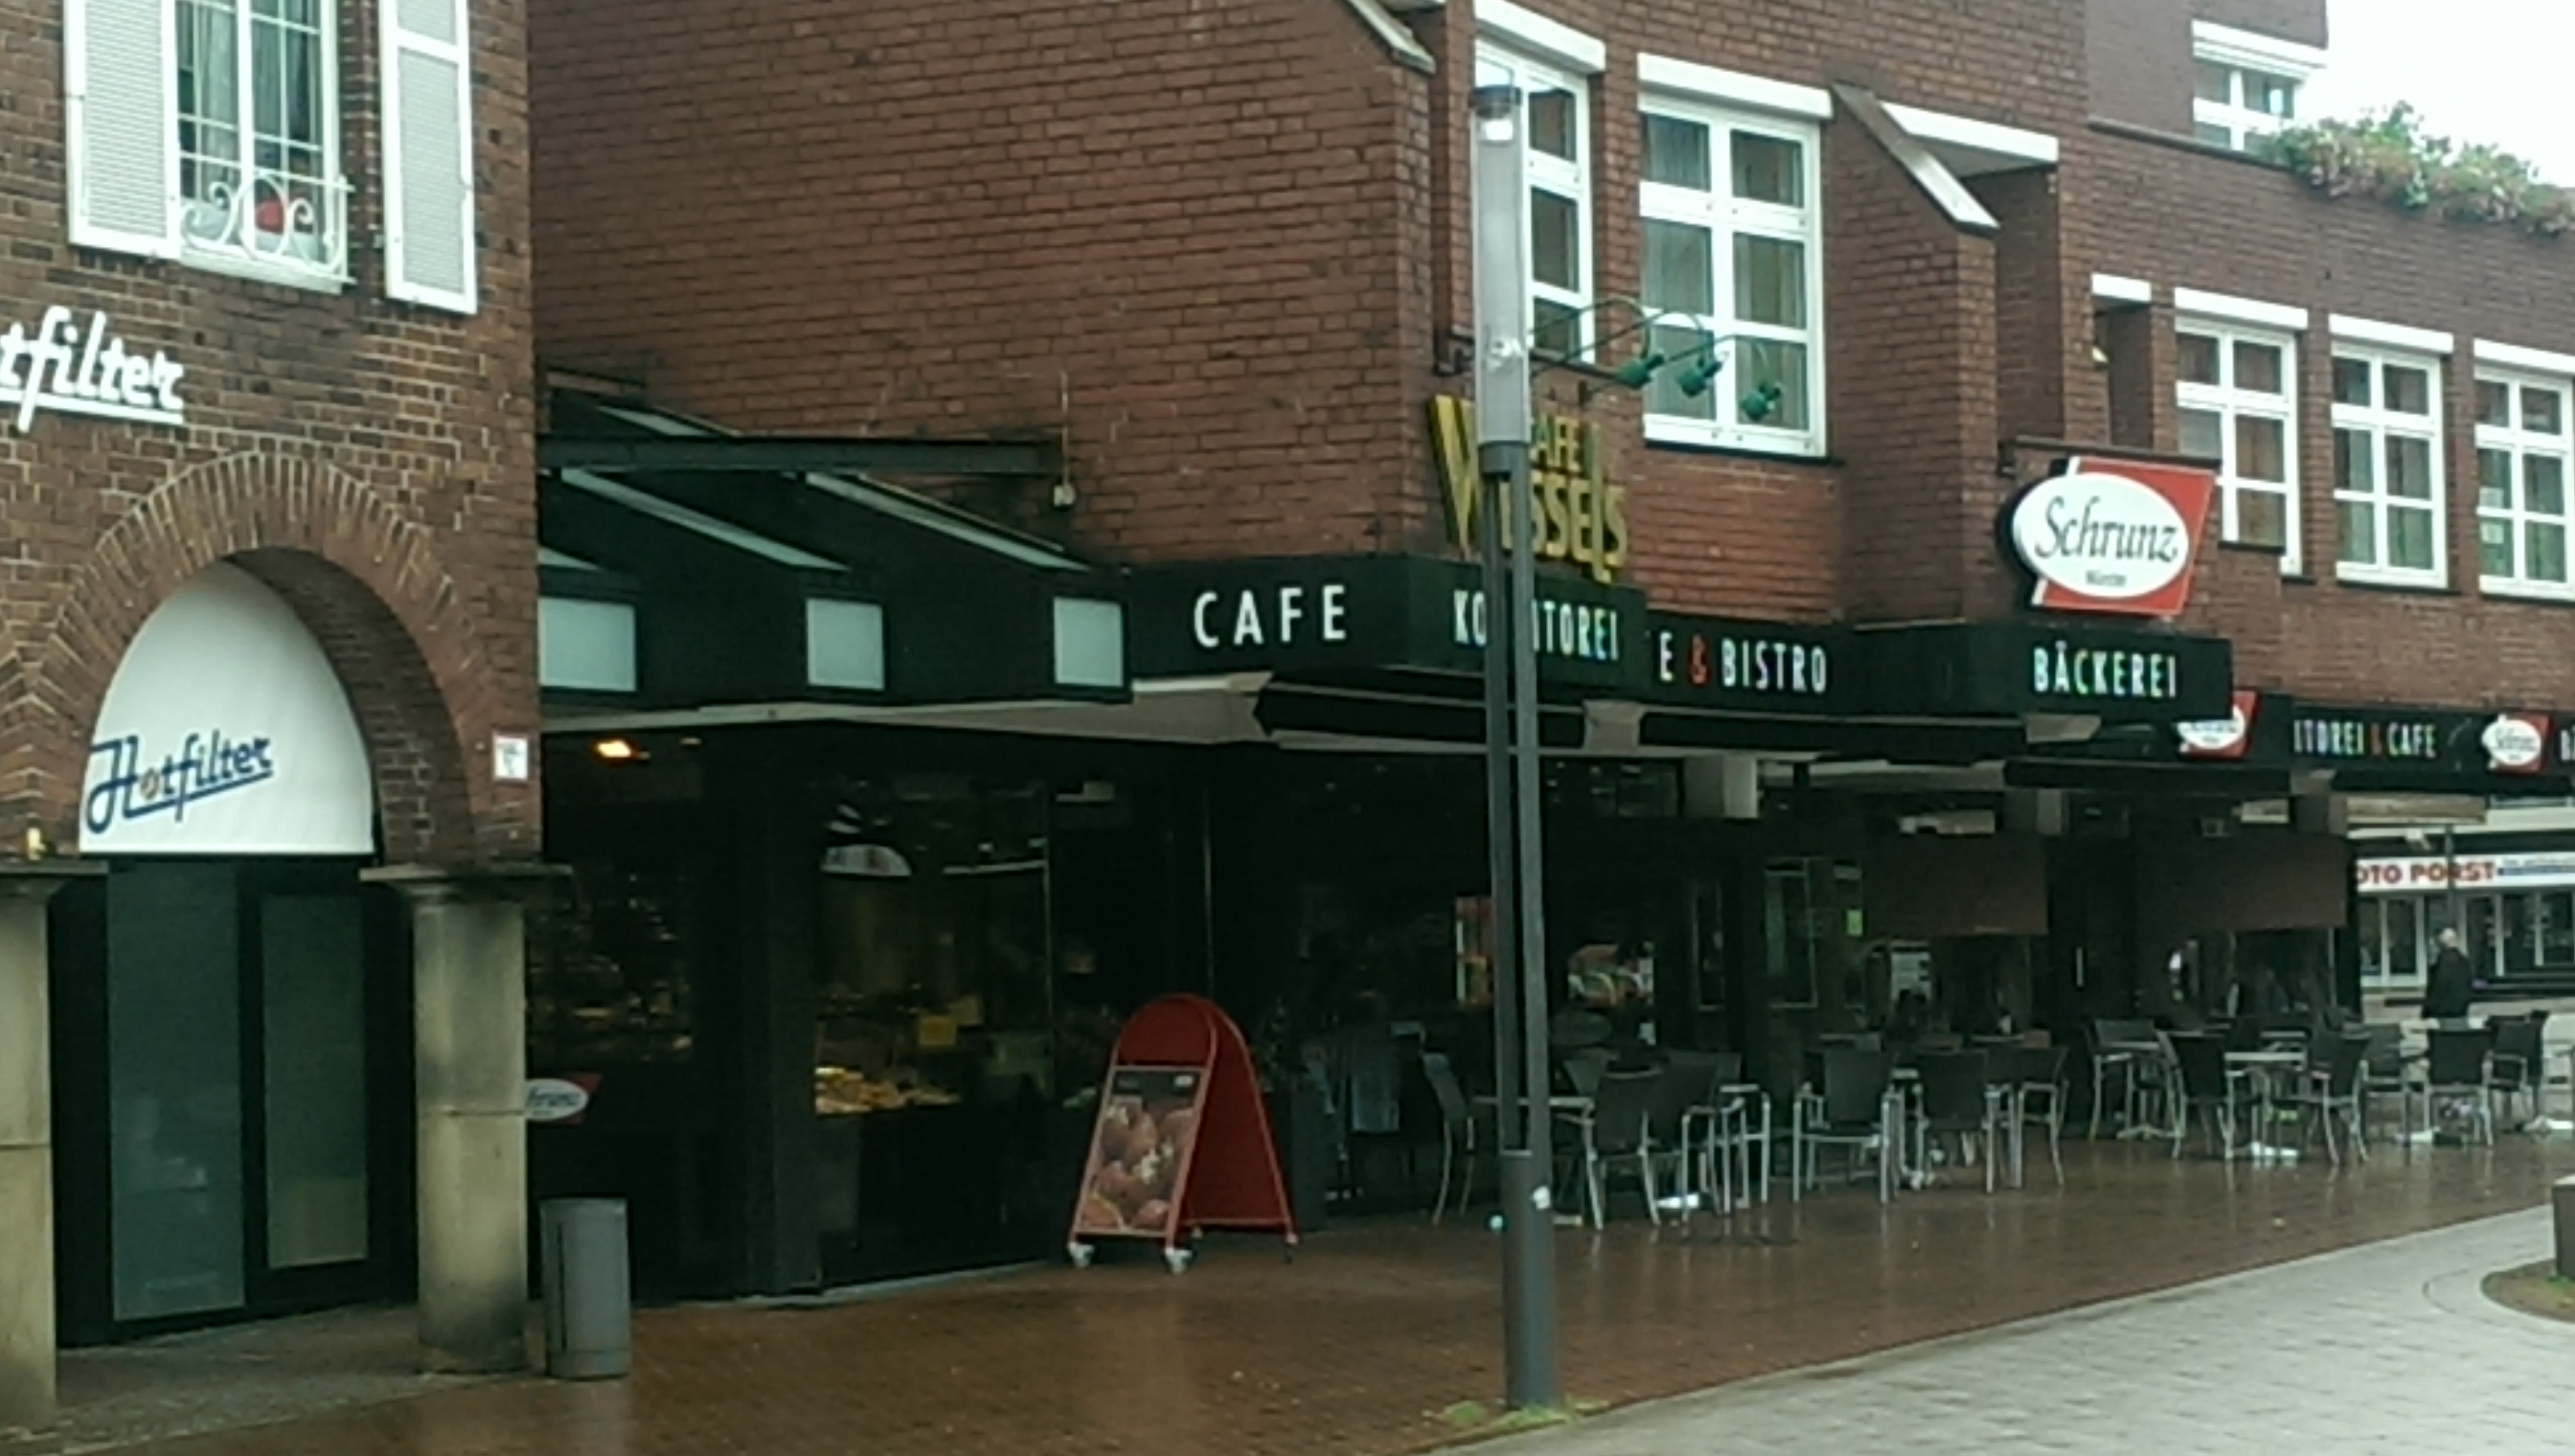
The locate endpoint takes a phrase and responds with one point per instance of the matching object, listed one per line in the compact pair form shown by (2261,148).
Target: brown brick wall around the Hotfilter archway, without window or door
(370,460)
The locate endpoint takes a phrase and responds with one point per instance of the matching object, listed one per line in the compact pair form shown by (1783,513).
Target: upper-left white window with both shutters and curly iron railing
(210,133)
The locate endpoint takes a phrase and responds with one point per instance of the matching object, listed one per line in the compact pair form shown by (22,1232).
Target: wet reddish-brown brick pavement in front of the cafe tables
(1374,1334)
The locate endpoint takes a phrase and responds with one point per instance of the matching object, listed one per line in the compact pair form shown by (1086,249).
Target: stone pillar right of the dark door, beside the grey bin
(470,1027)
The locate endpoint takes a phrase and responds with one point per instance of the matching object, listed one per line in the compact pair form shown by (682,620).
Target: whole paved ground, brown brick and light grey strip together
(1379,1336)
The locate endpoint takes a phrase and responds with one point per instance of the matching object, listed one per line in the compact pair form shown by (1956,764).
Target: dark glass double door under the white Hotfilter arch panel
(243,1107)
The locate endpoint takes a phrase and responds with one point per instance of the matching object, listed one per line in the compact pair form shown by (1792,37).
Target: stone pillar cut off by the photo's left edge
(27,1143)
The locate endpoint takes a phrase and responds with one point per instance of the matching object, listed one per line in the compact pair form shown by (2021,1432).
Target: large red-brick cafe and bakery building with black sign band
(1899,264)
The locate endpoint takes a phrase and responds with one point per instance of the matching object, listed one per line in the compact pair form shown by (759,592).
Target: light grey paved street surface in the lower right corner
(2373,1349)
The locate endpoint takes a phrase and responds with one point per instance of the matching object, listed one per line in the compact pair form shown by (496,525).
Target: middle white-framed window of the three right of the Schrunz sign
(2388,468)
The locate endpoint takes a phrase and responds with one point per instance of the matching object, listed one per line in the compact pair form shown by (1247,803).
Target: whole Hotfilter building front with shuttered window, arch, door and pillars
(267,344)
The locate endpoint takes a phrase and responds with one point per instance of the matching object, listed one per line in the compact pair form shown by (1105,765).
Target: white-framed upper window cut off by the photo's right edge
(2522,486)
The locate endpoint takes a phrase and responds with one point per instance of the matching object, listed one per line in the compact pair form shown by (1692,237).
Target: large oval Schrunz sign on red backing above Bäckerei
(2113,537)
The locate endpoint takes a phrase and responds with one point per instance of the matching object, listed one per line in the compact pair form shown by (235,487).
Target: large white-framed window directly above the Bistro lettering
(1732,249)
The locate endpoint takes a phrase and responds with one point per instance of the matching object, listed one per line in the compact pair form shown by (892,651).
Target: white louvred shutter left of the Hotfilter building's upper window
(120,79)
